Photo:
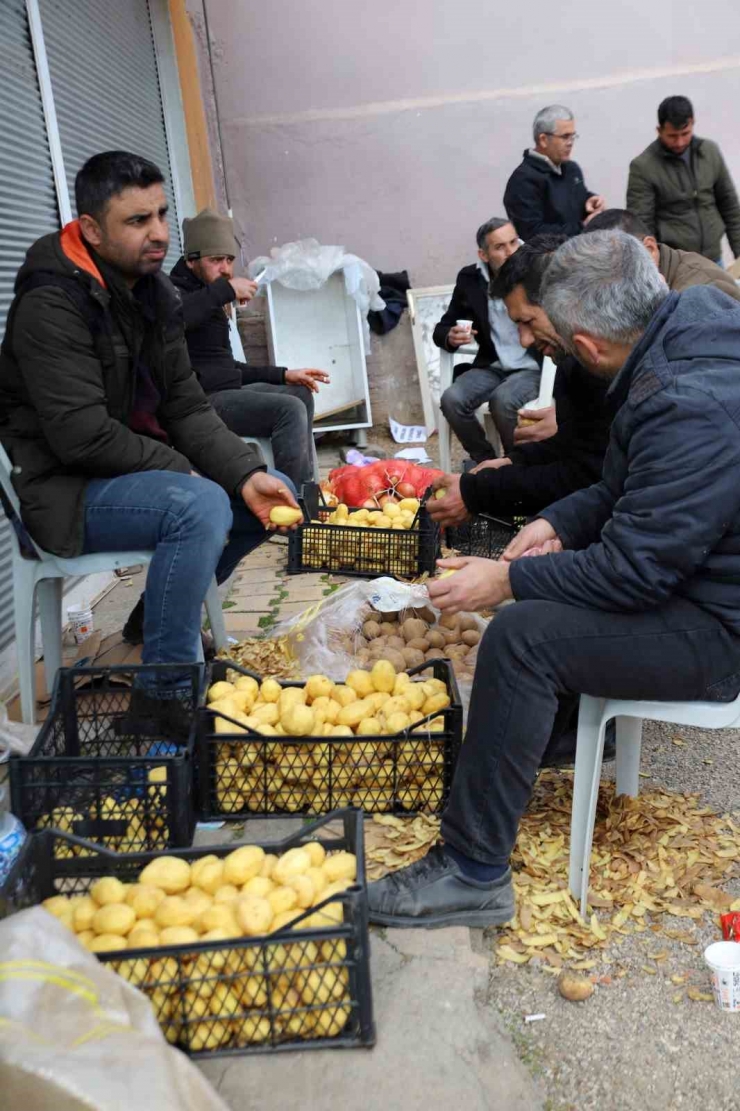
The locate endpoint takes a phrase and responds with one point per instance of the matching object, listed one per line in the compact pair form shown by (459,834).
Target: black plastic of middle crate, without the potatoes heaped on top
(247,775)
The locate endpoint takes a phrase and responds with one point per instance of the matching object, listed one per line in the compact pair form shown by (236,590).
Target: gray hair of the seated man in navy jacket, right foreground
(605,285)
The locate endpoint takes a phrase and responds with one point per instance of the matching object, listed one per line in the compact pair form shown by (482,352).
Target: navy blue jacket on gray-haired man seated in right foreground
(665,519)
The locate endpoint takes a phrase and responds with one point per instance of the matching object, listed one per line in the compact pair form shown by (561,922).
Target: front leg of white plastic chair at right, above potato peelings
(589,753)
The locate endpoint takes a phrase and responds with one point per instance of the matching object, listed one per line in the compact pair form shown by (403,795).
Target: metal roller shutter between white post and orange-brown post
(106,87)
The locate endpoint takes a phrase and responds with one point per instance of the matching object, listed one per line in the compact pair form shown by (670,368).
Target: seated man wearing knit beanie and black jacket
(263,402)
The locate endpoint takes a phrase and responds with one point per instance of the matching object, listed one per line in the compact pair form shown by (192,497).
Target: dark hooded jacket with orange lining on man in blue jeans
(67,392)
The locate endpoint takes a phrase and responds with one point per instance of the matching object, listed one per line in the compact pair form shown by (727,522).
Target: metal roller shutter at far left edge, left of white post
(28,202)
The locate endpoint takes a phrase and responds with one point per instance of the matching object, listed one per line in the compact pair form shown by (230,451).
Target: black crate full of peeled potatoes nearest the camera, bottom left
(239,950)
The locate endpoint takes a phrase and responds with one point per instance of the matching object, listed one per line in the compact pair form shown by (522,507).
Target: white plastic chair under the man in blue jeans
(43,578)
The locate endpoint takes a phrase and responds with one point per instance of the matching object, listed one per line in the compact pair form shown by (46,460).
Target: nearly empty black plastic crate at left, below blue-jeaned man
(91,773)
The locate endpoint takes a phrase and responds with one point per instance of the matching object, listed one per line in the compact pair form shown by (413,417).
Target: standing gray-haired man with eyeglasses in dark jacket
(547,194)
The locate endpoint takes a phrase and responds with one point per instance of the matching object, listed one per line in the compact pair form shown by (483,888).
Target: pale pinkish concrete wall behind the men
(392,128)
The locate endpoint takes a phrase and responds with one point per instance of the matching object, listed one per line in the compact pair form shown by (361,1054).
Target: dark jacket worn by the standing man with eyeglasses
(538,201)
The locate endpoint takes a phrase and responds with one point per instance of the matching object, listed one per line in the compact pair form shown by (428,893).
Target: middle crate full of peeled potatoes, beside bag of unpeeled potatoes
(384,740)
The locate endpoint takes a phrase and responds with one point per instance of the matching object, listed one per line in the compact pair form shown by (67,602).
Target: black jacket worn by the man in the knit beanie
(207,334)
